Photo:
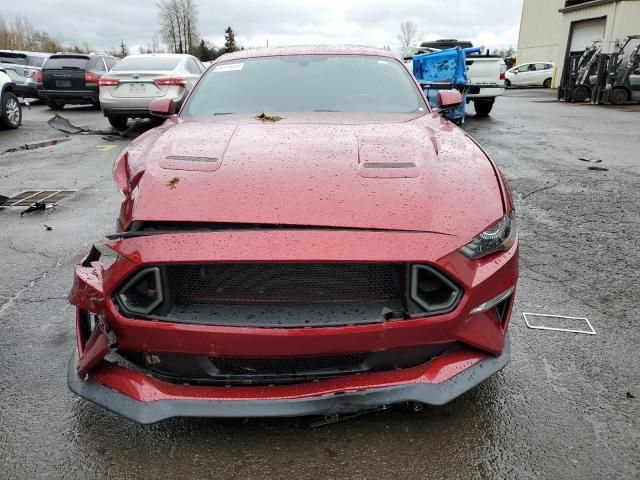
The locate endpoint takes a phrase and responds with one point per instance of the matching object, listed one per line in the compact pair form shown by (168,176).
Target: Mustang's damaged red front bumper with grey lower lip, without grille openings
(135,391)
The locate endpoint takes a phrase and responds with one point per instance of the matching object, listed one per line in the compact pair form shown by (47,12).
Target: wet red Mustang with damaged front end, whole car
(307,236)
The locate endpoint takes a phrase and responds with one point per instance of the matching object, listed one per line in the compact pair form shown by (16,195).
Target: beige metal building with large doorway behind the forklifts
(551,29)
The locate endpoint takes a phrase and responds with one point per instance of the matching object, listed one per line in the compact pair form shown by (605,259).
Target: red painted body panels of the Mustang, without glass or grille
(304,170)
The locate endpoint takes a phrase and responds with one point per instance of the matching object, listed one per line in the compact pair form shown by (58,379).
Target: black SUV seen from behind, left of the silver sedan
(71,78)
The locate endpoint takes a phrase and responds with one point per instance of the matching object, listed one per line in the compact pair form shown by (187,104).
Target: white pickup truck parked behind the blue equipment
(486,73)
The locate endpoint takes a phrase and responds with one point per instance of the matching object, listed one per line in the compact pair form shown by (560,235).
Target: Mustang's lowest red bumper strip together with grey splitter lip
(145,400)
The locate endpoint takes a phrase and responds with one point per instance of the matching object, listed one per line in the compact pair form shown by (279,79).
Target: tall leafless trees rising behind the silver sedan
(179,22)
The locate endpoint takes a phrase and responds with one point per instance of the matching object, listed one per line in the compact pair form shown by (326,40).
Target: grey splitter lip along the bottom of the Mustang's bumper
(342,402)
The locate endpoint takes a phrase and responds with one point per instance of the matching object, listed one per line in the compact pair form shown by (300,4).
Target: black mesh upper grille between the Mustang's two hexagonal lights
(286,283)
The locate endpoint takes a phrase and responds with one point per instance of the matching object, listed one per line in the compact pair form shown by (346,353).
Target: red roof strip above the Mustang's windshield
(308,50)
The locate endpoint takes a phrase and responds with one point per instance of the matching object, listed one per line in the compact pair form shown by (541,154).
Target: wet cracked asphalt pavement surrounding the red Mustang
(567,406)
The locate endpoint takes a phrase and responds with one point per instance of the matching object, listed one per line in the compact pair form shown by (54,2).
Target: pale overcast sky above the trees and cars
(492,23)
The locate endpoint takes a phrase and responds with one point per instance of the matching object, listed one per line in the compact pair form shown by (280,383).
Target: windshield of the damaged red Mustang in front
(306,83)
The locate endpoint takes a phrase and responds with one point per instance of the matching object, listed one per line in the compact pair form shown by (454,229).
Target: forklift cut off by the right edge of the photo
(622,81)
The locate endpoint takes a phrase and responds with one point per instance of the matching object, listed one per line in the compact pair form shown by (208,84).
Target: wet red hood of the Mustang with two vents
(393,172)
